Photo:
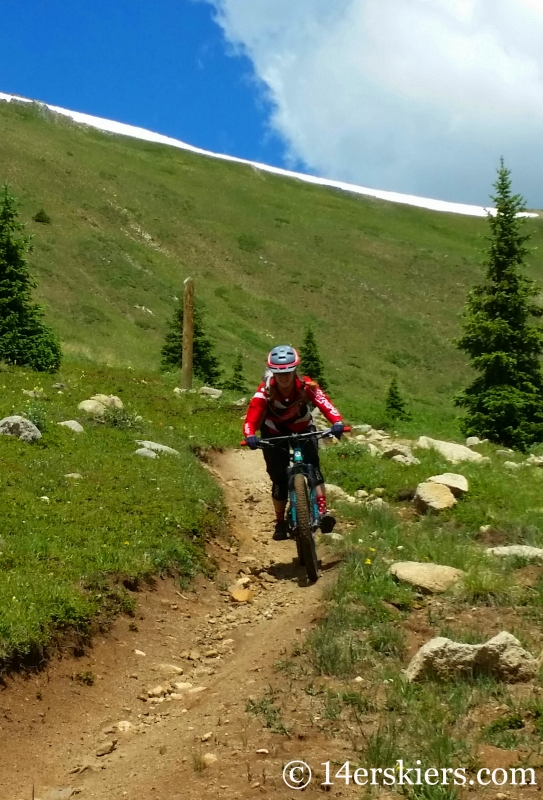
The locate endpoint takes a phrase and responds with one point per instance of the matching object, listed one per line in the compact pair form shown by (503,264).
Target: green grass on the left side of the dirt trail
(71,557)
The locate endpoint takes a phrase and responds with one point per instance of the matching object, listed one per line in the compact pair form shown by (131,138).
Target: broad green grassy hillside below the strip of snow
(383,283)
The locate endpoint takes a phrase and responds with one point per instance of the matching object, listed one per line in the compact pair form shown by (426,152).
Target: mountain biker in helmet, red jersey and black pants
(281,405)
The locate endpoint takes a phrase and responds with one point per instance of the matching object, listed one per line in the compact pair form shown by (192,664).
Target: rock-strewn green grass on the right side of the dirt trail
(366,626)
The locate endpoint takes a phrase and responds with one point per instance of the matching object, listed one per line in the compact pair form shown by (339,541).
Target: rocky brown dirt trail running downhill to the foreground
(52,724)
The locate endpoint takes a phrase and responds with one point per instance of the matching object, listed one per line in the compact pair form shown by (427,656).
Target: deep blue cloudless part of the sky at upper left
(162,65)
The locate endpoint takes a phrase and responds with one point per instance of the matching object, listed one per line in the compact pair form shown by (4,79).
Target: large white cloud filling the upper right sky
(418,96)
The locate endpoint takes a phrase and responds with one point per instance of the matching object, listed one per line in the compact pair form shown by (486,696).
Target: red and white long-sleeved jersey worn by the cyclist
(280,415)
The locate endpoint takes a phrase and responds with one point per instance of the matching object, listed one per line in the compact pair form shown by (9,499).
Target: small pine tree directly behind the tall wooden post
(205,363)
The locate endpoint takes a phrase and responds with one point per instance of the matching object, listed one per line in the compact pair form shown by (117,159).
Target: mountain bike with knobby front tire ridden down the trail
(303,512)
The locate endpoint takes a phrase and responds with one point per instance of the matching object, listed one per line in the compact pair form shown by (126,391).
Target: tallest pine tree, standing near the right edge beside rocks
(505,401)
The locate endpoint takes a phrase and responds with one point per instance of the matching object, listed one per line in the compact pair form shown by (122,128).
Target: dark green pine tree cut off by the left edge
(24,338)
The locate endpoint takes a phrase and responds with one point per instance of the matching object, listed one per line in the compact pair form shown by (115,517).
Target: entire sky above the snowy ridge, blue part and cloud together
(415,96)
